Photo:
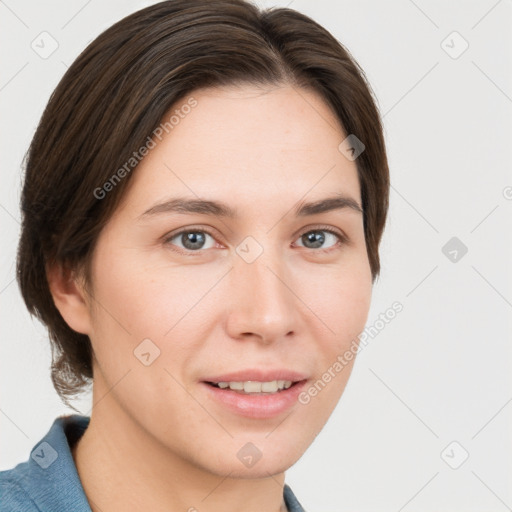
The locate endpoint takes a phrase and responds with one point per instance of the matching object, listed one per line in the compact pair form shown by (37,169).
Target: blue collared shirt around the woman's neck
(48,481)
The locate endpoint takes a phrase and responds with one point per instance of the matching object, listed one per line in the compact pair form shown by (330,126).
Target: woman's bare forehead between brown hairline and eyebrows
(248,145)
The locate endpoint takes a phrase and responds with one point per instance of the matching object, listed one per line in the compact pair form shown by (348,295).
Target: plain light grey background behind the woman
(440,371)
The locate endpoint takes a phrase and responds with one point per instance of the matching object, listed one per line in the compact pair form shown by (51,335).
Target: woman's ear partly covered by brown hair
(69,297)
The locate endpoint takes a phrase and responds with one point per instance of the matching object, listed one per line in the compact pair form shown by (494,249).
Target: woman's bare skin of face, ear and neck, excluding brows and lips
(155,440)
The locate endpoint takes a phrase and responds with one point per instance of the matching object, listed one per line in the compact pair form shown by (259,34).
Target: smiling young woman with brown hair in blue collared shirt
(202,209)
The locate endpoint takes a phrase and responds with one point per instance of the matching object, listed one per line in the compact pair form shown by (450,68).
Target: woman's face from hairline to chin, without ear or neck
(184,295)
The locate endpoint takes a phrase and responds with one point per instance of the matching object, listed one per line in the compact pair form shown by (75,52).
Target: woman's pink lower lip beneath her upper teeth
(256,406)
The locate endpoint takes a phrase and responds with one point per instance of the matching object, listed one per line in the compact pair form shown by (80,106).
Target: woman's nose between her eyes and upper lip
(262,304)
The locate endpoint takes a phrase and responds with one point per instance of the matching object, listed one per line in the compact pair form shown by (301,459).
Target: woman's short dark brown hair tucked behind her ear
(115,95)
